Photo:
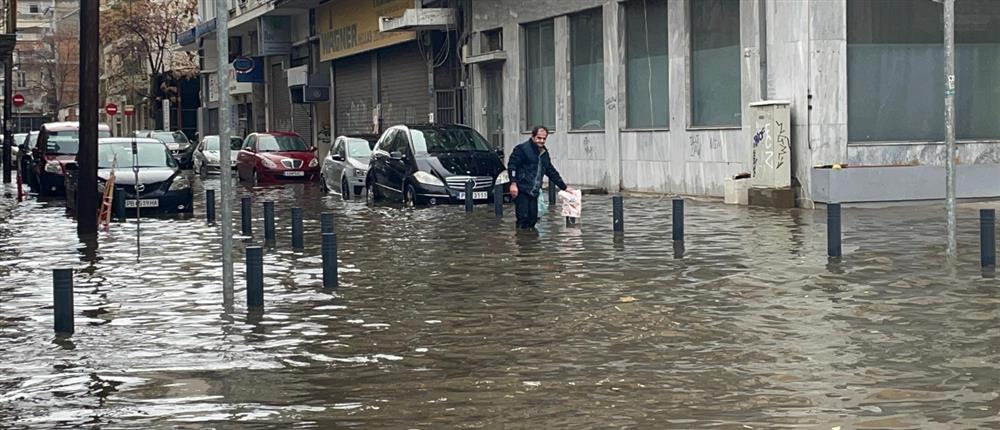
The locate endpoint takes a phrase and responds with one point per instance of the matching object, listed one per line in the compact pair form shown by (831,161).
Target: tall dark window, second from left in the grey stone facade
(587,70)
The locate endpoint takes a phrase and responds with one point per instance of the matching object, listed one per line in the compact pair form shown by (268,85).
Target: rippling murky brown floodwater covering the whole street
(448,320)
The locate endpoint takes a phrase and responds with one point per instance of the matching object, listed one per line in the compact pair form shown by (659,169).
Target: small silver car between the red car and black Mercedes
(346,166)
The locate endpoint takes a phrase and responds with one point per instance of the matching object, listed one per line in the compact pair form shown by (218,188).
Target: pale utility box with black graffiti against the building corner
(772,144)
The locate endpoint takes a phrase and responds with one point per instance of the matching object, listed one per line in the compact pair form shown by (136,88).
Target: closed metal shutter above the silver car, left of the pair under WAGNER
(352,98)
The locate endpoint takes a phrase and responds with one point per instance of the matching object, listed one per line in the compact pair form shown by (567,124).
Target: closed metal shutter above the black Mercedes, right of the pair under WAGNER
(403,85)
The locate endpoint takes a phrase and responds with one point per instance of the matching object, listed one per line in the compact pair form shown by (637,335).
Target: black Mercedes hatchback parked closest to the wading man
(431,163)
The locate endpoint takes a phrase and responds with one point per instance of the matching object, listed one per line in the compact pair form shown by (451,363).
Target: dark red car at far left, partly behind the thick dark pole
(58,143)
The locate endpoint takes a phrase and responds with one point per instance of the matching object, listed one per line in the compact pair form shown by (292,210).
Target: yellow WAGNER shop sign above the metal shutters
(348,27)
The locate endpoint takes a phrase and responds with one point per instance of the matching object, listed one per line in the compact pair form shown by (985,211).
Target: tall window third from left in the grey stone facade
(646,90)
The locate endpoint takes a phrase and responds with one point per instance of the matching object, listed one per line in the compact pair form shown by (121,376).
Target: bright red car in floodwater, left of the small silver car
(276,156)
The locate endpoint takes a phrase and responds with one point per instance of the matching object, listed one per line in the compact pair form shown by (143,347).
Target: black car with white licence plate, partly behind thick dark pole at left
(161,186)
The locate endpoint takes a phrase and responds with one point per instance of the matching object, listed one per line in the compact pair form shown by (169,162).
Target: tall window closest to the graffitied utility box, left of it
(715,63)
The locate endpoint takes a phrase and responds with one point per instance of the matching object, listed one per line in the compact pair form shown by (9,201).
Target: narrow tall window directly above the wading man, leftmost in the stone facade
(540,86)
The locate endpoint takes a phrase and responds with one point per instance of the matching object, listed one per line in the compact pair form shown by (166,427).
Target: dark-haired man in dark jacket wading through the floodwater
(528,163)
